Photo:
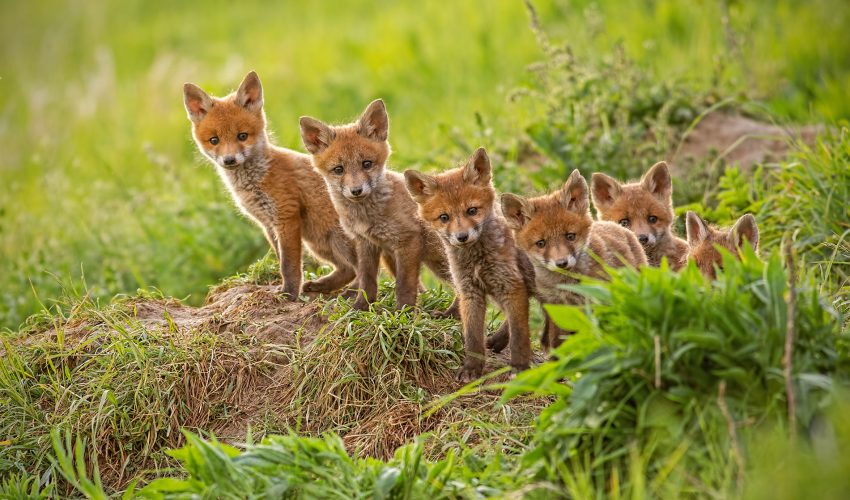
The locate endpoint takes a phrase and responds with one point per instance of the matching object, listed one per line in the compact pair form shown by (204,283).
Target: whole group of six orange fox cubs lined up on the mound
(353,212)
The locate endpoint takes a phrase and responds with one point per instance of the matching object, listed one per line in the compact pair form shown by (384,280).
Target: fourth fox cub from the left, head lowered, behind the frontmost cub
(563,241)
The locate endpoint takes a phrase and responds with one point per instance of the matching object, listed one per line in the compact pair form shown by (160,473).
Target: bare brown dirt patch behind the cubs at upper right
(741,140)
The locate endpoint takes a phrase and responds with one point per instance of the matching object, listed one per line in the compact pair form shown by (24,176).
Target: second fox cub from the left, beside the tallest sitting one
(373,204)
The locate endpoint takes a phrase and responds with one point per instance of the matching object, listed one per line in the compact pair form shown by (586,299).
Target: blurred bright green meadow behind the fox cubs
(103,191)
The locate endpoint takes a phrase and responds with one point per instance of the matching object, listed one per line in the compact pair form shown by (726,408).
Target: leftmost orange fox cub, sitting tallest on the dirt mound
(275,187)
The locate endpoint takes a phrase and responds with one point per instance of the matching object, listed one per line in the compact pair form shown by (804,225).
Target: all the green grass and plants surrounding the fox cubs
(672,386)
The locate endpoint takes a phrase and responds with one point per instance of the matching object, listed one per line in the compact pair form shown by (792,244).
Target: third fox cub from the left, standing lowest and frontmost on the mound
(459,205)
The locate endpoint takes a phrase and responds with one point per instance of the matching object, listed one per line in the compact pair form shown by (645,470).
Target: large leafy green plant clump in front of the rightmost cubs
(662,359)
